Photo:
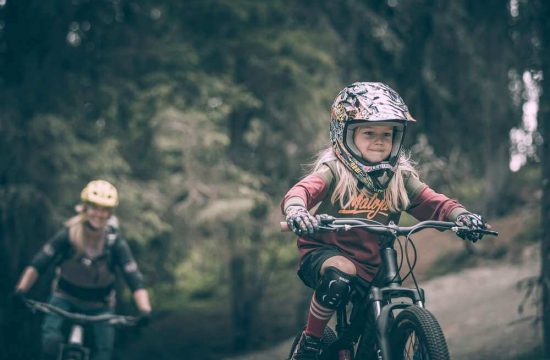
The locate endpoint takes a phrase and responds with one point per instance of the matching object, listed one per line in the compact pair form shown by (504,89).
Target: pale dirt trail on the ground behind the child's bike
(477,309)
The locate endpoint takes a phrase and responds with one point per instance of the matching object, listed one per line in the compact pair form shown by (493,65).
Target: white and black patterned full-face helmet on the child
(364,103)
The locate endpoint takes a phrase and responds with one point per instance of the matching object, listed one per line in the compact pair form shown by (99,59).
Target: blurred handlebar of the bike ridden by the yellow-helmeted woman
(112,319)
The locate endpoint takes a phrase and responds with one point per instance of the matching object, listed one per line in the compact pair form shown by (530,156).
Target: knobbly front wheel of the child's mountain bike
(416,334)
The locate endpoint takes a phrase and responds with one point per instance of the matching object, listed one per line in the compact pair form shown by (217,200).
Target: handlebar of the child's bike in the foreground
(346,224)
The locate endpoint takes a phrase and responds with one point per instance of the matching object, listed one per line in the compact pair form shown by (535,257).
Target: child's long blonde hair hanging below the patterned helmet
(345,190)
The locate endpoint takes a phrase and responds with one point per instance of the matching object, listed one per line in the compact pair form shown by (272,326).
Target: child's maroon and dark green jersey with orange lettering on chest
(358,245)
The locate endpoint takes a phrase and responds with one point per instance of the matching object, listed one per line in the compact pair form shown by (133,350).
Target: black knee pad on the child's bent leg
(334,288)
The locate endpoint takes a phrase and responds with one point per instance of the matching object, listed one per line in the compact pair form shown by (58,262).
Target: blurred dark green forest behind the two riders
(204,113)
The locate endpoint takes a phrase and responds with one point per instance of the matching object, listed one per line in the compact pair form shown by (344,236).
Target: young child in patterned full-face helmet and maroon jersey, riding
(364,174)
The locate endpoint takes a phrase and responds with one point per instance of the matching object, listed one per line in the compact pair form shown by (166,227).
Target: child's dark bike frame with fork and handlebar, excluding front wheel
(386,287)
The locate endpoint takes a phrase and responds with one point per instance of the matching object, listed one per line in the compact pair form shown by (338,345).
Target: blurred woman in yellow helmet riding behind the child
(86,253)
